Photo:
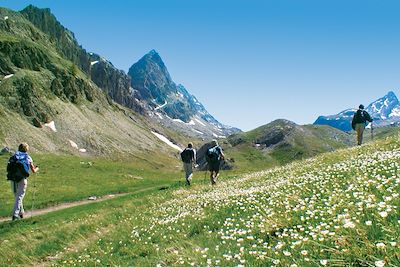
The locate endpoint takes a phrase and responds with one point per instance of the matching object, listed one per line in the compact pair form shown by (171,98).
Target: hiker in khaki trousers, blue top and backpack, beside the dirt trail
(18,172)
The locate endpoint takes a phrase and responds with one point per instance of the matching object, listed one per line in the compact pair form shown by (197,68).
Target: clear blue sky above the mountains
(250,62)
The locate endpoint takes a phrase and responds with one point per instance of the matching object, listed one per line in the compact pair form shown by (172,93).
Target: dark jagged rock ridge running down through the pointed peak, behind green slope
(142,91)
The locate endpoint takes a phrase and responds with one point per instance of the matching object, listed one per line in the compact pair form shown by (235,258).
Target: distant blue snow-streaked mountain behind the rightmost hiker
(384,111)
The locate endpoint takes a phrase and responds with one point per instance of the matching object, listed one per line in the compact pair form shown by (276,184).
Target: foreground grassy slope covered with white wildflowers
(338,209)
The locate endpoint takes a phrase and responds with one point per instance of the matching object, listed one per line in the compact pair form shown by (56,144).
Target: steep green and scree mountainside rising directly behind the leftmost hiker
(47,100)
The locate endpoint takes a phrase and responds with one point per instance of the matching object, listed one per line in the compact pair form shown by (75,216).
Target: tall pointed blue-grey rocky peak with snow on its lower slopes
(170,103)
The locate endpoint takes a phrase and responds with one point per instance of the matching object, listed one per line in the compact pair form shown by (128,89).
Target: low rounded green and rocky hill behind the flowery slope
(281,142)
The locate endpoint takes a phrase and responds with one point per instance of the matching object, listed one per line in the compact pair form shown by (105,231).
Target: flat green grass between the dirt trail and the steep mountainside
(68,178)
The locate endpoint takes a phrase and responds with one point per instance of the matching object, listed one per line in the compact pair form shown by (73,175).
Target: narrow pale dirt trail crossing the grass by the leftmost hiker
(32,213)
